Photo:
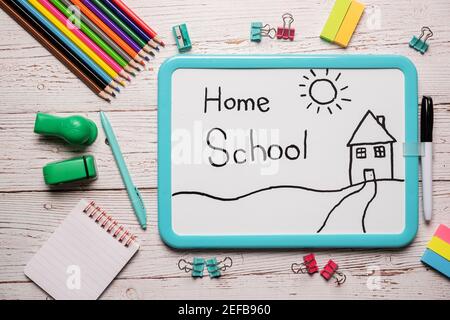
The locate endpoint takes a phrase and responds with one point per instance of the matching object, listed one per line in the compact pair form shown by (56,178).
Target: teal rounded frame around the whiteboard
(282,62)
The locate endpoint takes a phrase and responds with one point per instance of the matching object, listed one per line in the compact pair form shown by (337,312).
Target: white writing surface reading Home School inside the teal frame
(287,151)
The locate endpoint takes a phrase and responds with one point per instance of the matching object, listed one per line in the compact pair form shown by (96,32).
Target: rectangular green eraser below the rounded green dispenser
(71,170)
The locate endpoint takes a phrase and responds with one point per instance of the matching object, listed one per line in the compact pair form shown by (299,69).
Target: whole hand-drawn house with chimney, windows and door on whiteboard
(371,150)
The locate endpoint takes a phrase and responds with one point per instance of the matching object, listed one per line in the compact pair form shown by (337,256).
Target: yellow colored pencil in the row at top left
(36,4)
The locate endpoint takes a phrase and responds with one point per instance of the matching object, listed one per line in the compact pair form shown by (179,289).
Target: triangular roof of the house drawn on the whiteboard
(370,131)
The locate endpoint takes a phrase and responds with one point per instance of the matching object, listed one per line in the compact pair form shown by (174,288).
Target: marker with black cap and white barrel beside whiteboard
(426,136)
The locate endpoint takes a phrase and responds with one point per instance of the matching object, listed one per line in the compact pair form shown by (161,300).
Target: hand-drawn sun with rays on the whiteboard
(323,91)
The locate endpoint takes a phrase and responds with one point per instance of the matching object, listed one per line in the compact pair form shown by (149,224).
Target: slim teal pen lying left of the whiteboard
(133,192)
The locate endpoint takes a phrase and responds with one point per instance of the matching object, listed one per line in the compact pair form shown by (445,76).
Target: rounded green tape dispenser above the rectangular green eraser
(76,130)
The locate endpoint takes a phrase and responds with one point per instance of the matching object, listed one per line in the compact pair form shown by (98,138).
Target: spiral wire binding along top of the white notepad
(109,224)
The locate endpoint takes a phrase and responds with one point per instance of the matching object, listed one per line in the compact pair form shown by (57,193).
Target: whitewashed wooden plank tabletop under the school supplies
(32,80)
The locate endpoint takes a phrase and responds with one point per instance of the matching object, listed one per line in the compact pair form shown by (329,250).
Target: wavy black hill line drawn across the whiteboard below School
(204,194)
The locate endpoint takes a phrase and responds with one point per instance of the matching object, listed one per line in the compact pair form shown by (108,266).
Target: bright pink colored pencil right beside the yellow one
(86,40)
